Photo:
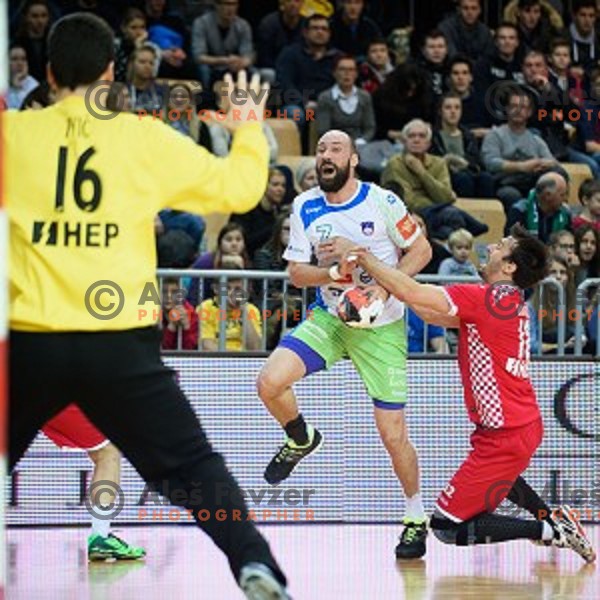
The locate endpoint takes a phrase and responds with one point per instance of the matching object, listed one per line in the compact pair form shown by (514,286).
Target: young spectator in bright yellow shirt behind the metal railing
(243,326)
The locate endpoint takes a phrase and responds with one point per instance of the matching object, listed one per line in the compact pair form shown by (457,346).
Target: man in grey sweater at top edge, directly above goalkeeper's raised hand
(221,42)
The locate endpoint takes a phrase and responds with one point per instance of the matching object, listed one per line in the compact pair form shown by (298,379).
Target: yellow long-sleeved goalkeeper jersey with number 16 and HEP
(82,194)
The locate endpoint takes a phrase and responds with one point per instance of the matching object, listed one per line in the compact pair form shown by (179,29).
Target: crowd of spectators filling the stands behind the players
(452,108)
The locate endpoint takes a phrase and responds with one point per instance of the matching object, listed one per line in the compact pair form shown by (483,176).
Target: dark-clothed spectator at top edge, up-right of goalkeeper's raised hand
(277,30)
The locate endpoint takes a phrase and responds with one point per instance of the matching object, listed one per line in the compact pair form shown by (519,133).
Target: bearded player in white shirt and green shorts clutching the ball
(326,221)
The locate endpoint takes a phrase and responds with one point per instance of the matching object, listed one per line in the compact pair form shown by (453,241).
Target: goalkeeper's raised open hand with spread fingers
(243,102)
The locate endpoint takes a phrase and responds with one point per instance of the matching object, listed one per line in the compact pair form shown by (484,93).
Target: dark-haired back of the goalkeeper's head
(80,48)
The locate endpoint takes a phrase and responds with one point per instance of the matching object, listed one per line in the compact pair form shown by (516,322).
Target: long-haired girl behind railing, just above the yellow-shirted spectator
(231,248)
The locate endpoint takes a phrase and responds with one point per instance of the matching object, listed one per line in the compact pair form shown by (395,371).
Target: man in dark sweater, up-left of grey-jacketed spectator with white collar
(304,70)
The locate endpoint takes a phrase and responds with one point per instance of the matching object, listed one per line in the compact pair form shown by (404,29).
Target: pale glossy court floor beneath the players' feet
(323,562)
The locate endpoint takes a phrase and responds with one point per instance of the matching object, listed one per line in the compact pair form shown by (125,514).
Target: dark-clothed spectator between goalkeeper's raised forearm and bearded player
(259,222)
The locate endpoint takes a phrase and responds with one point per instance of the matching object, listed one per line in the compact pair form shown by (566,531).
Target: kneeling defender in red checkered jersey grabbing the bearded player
(493,355)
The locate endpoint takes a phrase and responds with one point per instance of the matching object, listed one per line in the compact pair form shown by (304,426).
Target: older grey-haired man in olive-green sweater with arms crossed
(424,178)
